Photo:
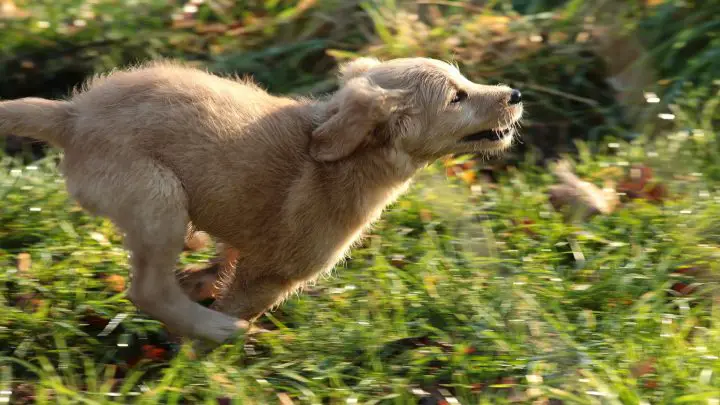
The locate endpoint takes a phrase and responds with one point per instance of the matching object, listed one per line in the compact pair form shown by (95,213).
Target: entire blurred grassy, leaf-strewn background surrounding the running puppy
(579,268)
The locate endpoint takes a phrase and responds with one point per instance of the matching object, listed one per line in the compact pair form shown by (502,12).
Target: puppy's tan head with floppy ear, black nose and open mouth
(422,107)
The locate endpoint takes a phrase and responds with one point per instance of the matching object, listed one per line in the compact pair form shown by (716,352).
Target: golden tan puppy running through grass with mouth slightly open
(288,183)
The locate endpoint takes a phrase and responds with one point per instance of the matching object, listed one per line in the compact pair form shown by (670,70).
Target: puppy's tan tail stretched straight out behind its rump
(38,118)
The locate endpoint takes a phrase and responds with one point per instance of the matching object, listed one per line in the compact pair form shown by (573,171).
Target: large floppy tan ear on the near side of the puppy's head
(352,114)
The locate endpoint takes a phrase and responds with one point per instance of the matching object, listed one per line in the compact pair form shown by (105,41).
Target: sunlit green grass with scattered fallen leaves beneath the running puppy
(487,295)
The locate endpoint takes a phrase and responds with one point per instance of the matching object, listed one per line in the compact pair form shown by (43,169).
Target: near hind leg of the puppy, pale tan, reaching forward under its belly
(147,202)
